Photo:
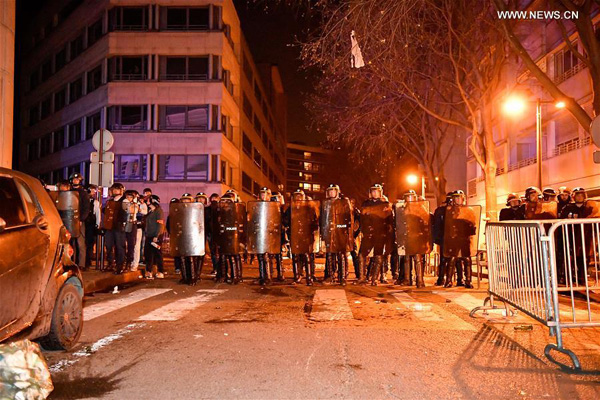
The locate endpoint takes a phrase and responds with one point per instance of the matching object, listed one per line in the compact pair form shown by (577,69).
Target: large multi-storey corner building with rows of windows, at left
(175,83)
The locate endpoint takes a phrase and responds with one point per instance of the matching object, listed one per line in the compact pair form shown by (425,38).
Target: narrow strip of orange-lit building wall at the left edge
(7,67)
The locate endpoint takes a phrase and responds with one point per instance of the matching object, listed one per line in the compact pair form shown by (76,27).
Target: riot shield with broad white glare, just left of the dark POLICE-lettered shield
(187,229)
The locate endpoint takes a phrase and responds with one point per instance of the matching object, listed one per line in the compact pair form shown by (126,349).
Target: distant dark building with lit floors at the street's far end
(306,170)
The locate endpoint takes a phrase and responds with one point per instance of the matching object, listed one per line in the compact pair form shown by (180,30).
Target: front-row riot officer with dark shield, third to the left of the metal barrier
(376,225)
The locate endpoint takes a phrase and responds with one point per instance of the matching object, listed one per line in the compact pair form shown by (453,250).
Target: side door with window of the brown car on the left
(24,250)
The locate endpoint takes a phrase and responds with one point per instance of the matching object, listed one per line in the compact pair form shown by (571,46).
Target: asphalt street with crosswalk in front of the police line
(162,340)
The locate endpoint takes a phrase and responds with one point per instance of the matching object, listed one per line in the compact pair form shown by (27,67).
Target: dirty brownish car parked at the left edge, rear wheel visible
(41,289)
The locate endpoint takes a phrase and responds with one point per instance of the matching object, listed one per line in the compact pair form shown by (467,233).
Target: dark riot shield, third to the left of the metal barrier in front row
(377,226)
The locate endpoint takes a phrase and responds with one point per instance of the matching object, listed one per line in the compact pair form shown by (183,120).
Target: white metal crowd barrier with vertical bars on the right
(547,269)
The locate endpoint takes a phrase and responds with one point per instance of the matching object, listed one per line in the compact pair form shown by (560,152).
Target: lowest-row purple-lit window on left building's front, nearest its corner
(180,167)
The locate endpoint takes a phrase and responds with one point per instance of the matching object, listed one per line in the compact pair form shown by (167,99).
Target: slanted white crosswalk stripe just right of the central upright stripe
(429,312)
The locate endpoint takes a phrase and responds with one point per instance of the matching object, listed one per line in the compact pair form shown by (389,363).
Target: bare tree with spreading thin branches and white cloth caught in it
(445,57)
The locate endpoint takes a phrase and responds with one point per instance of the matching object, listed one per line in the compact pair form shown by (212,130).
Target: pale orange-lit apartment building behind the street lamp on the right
(567,150)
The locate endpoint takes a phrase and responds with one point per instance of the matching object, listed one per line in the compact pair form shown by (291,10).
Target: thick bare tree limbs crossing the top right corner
(590,57)
